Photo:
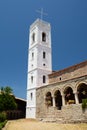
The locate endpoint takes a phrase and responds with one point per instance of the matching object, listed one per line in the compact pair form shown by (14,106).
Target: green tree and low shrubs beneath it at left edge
(7,103)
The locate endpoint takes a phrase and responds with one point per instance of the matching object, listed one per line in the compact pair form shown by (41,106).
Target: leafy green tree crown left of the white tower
(7,99)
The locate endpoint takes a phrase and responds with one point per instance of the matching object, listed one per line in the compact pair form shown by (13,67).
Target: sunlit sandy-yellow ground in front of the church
(26,124)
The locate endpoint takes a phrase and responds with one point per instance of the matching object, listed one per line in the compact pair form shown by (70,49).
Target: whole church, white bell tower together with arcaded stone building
(53,96)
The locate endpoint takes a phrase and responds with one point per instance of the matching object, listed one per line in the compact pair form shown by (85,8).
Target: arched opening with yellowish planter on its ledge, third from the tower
(69,95)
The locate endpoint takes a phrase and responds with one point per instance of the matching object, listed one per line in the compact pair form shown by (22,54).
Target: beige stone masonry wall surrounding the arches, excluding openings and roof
(68,113)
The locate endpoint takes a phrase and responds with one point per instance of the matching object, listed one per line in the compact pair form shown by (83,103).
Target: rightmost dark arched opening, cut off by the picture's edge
(82,91)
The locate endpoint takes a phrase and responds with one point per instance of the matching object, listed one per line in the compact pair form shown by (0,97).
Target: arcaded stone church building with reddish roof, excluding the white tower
(61,99)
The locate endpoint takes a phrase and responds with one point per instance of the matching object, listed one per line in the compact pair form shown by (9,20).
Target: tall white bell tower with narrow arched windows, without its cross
(39,62)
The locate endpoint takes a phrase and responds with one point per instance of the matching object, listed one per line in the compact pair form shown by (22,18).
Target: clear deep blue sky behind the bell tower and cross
(68,19)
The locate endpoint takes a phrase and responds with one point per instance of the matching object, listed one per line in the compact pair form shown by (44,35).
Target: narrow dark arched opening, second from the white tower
(58,99)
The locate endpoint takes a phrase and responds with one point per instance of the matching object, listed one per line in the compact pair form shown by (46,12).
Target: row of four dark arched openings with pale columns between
(60,98)
